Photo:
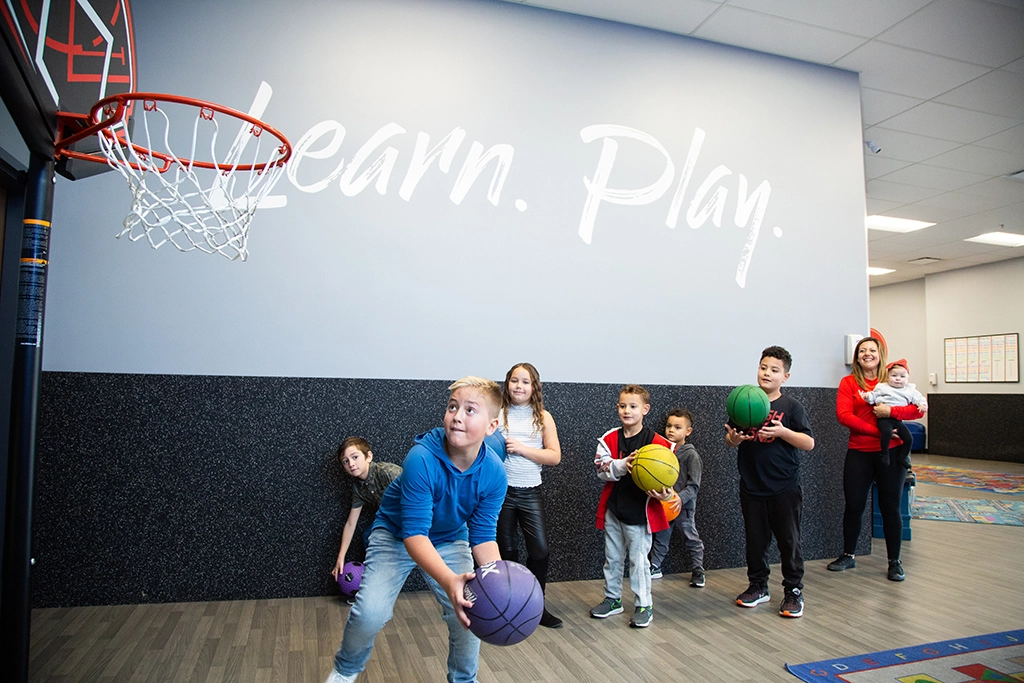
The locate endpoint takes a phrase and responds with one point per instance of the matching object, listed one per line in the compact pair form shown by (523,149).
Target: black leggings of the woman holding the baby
(861,472)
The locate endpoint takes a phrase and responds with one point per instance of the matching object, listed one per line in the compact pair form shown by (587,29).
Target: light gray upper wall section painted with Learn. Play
(370,285)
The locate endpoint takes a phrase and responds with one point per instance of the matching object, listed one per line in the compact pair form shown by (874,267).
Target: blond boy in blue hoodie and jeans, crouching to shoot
(440,515)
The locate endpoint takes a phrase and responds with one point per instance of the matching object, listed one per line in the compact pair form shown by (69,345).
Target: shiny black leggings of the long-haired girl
(524,508)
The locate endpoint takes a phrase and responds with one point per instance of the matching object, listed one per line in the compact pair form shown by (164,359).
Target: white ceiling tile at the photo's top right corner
(983,33)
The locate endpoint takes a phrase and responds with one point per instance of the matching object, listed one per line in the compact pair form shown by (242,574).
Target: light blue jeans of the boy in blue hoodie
(388,567)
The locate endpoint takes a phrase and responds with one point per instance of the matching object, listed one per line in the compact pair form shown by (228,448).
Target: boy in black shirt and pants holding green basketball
(771,495)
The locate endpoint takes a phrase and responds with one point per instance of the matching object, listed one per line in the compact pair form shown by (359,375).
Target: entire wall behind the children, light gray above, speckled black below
(191,404)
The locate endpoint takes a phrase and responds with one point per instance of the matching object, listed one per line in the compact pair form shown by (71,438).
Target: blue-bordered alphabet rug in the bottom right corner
(998,657)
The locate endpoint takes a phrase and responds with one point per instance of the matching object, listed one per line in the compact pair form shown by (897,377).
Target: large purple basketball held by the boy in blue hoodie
(507,602)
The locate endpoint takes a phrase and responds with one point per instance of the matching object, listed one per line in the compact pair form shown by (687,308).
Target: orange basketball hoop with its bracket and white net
(194,205)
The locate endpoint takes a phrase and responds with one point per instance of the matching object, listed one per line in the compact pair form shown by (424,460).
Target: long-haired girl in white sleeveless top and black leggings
(531,442)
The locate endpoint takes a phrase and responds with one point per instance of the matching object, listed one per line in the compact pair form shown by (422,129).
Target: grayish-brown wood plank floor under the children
(963,580)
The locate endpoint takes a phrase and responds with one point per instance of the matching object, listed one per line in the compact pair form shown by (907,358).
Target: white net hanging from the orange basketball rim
(190,207)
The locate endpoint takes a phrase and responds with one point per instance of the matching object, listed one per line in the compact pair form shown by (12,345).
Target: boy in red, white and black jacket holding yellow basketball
(627,515)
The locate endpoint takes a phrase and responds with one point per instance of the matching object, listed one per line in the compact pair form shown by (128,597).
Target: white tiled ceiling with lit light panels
(943,95)
